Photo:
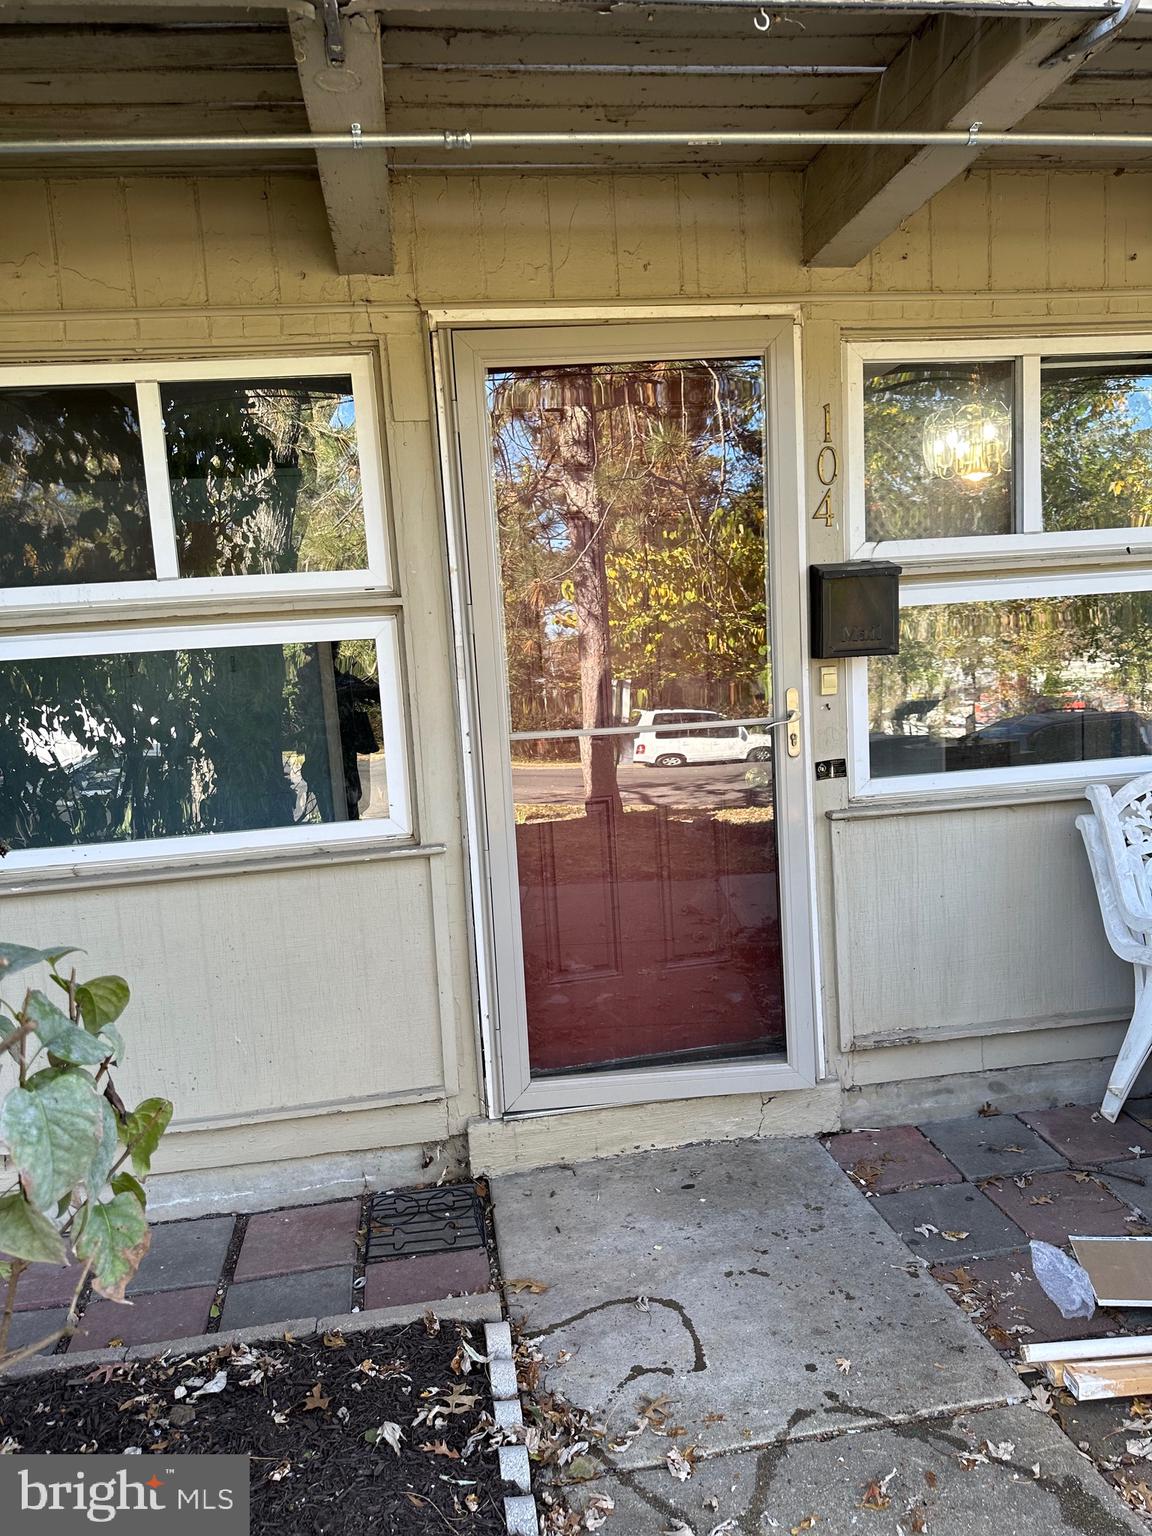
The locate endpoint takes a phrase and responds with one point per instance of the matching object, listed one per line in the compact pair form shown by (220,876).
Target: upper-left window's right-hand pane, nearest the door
(265,477)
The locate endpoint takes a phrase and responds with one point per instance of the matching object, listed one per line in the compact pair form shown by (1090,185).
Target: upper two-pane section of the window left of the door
(248,477)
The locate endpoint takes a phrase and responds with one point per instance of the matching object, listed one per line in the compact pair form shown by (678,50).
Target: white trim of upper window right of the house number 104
(1027,548)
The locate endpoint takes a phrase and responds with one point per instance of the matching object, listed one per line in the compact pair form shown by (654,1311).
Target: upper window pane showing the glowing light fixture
(939,451)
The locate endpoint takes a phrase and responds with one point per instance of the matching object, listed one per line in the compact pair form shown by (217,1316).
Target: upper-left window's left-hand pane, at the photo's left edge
(73,505)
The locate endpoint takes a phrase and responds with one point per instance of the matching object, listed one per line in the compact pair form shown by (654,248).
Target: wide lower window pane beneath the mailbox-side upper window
(1015,684)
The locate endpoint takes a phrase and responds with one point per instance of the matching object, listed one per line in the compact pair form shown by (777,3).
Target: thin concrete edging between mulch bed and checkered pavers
(483,1308)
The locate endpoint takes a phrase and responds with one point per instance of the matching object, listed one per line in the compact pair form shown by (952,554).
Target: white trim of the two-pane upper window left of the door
(147,377)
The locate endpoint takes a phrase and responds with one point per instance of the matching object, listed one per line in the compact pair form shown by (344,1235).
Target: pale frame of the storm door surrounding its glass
(474,557)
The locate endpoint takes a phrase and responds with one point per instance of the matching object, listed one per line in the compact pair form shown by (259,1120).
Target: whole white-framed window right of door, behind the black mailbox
(981,468)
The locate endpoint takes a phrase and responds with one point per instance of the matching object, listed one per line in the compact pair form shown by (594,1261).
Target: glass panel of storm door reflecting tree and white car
(631,525)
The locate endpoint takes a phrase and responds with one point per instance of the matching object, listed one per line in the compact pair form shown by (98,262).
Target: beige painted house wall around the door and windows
(955,942)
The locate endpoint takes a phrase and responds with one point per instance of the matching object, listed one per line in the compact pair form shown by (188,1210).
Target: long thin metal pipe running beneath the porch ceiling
(458,142)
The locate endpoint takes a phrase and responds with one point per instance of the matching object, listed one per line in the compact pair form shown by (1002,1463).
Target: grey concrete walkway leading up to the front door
(806,1359)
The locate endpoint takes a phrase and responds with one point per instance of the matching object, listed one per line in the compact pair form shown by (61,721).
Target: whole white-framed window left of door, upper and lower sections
(257,729)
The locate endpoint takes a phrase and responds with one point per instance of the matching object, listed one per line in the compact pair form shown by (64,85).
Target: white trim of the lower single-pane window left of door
(167,850)
